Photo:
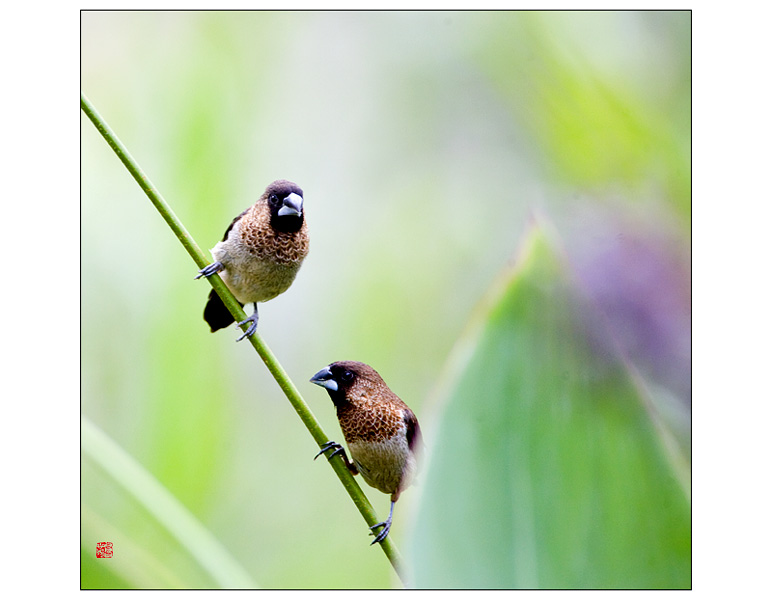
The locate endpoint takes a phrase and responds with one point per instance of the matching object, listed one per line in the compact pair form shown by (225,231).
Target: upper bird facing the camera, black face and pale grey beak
(260,254)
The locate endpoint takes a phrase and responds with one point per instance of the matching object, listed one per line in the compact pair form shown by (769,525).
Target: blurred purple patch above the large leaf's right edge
(638,276)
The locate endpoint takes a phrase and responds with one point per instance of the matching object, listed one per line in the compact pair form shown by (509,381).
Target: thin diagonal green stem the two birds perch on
(273,365)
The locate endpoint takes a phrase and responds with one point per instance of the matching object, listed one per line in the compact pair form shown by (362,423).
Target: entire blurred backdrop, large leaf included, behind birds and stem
(431,146)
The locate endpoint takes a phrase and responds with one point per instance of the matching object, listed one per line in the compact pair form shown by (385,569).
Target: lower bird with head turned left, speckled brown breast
(381,431)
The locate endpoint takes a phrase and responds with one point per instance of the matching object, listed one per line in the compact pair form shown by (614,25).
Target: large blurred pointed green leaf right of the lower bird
(551,467)
